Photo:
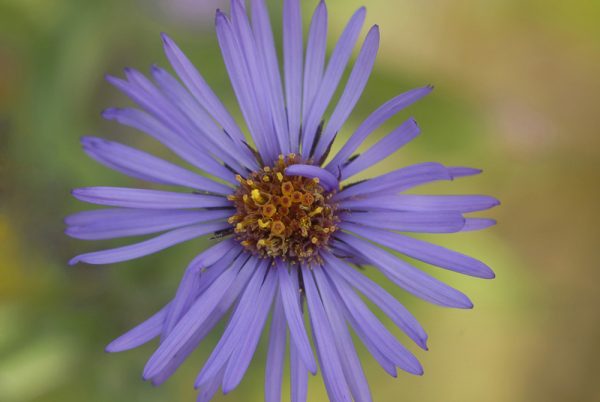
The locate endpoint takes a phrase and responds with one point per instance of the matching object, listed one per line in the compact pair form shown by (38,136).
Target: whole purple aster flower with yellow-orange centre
(290,225)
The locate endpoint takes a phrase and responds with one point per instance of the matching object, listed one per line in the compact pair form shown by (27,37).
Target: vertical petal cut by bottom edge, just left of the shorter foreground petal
(276,354)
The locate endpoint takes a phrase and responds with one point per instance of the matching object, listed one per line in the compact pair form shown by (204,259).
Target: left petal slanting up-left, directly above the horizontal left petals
(128,159)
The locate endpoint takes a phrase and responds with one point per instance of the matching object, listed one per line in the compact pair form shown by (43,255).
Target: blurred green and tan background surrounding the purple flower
(517,94)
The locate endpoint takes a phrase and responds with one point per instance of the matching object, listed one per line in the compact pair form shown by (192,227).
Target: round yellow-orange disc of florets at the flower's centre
(290,217)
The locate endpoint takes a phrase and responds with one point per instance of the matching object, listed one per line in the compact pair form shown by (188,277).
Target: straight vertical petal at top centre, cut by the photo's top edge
(292,65)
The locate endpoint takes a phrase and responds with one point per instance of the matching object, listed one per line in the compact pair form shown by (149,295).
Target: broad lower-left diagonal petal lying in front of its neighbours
(198,314)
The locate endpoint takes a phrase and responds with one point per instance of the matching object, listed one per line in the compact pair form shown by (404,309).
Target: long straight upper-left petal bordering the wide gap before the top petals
(200,89)
